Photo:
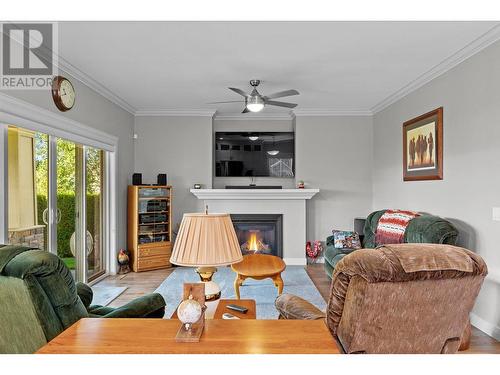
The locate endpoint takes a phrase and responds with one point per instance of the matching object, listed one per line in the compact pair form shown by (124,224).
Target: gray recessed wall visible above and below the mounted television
(254,125)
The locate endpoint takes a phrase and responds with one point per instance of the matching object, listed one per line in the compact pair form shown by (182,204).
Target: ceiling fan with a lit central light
(255,102)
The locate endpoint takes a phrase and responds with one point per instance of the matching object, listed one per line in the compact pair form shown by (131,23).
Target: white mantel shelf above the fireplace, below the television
(246,194)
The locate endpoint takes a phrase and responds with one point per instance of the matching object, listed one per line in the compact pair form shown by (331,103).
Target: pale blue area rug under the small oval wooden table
(263,292)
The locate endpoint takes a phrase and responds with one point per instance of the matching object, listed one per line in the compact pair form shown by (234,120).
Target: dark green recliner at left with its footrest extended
(39,299)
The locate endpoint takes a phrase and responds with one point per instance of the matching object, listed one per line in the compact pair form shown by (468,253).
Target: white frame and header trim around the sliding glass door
(25,115)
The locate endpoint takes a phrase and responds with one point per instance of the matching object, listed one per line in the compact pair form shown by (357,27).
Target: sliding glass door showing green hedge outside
(55,199)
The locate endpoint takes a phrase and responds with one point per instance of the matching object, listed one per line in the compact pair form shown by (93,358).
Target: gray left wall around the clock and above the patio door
(95,111)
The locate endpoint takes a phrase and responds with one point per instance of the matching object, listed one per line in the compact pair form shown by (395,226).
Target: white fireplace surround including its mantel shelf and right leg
(291,203)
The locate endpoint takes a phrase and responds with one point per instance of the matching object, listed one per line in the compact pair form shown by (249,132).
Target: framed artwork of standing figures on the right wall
(423,147)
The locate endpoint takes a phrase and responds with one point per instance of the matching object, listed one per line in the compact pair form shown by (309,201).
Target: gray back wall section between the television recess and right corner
(334,154)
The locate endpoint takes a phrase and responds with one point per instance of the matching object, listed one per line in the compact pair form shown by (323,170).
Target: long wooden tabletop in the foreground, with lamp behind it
(245,336)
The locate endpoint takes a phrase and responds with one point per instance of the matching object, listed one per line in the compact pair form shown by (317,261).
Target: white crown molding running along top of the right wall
(469,50)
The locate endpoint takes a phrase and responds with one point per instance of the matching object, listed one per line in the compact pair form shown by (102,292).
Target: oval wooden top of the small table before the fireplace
(259,265)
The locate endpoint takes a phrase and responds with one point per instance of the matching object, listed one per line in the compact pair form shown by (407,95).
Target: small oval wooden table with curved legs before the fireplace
(259,267)
